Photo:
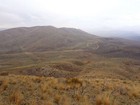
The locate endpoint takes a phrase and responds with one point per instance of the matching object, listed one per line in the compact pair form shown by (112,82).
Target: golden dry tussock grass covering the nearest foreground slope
(33,90)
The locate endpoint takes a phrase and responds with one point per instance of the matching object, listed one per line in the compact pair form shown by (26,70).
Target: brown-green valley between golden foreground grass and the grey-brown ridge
(70,64)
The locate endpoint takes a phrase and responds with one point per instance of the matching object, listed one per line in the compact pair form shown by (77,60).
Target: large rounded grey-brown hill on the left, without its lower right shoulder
(40,38)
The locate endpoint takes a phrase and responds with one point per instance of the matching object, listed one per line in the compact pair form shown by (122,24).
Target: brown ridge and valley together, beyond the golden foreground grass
(31,48)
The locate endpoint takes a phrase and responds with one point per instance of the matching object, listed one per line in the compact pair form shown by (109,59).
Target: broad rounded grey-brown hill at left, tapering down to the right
(41,35)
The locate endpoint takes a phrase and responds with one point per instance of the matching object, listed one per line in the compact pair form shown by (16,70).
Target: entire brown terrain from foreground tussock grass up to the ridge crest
(45,65)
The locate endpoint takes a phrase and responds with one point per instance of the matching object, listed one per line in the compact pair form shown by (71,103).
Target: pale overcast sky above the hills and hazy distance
(83,14)
